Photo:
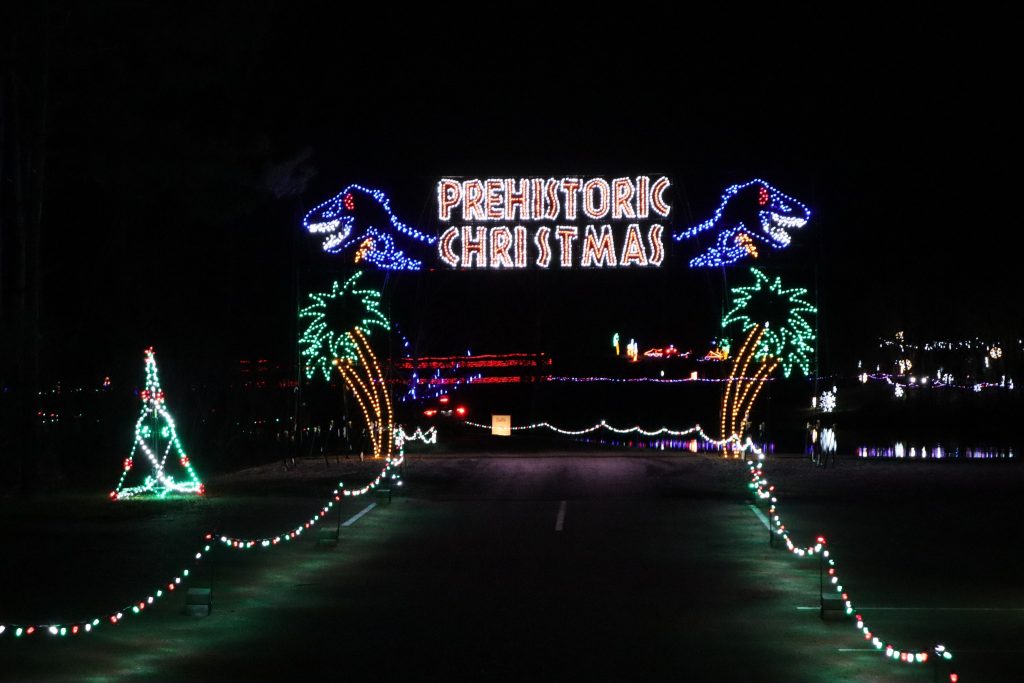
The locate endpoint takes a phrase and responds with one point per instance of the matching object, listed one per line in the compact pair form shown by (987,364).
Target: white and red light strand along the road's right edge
(764,491)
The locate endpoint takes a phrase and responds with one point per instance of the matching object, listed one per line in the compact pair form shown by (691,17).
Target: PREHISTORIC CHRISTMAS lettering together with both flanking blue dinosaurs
(553,224)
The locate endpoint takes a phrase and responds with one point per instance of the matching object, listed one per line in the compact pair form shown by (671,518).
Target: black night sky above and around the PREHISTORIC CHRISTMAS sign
(183,147)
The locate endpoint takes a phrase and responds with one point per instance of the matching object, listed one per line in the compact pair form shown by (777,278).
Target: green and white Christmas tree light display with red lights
(156,438)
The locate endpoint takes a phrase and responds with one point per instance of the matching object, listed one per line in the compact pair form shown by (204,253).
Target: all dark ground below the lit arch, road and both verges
(569,567)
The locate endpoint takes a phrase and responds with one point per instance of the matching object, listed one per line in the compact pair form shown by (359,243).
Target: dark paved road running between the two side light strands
(503,570)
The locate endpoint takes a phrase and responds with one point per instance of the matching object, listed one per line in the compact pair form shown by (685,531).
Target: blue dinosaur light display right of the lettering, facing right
(751,215)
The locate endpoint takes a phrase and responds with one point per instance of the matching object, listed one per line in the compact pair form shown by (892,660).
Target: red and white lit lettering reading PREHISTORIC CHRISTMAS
(564,223)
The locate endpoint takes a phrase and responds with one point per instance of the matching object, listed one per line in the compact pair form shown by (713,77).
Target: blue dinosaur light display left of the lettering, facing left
(362,219)
